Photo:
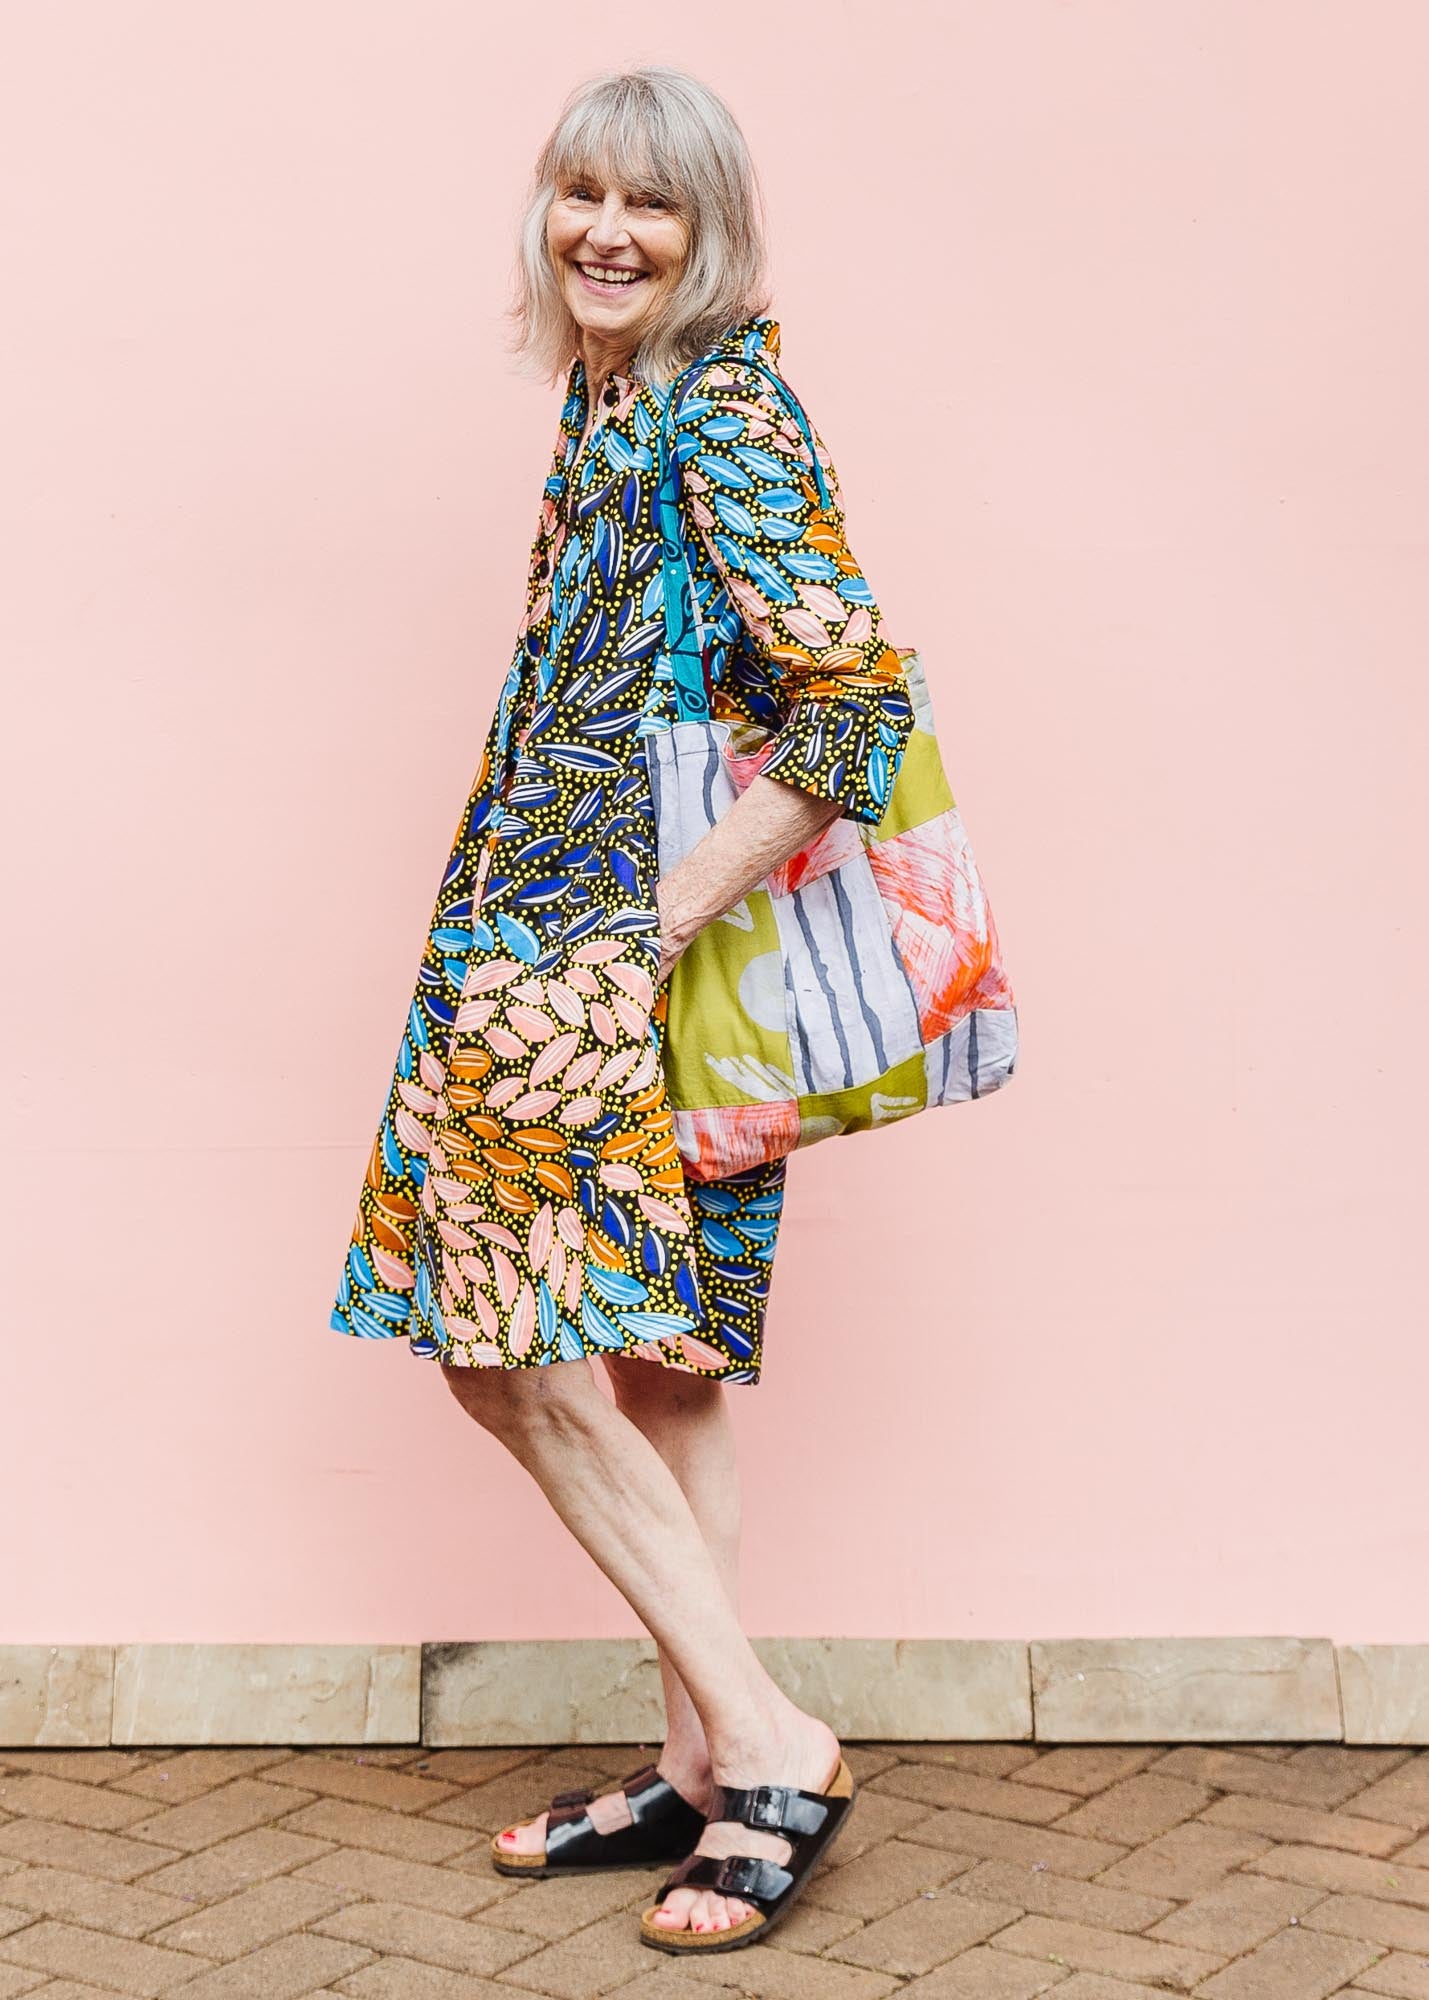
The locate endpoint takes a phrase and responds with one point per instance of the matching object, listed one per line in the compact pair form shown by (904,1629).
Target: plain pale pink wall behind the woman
(1114,317)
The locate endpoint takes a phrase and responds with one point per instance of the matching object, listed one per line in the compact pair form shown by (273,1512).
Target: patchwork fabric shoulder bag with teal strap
(862,981)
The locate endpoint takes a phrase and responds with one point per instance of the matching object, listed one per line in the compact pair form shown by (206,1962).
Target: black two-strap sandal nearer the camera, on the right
(808,1821)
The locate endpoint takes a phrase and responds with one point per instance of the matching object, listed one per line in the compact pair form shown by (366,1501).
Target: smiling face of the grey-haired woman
(617,255)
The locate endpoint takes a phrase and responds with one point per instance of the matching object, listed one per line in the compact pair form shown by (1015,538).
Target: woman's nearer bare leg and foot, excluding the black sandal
(623,1503)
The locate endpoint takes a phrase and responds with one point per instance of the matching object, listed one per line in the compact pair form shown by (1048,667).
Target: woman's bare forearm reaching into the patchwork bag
(768,823)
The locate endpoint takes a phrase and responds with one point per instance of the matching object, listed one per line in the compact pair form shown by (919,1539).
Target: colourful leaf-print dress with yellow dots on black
(525,1199)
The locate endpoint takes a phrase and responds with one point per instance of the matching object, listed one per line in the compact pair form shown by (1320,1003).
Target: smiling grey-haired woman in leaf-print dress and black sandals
(525,1173)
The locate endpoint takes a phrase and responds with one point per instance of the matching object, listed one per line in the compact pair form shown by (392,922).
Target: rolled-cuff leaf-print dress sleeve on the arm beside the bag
(804,601)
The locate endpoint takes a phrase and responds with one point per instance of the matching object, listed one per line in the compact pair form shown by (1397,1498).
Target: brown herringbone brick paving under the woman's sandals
(964,1873)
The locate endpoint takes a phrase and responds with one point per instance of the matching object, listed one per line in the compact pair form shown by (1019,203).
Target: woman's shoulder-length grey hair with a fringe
(663,131)
